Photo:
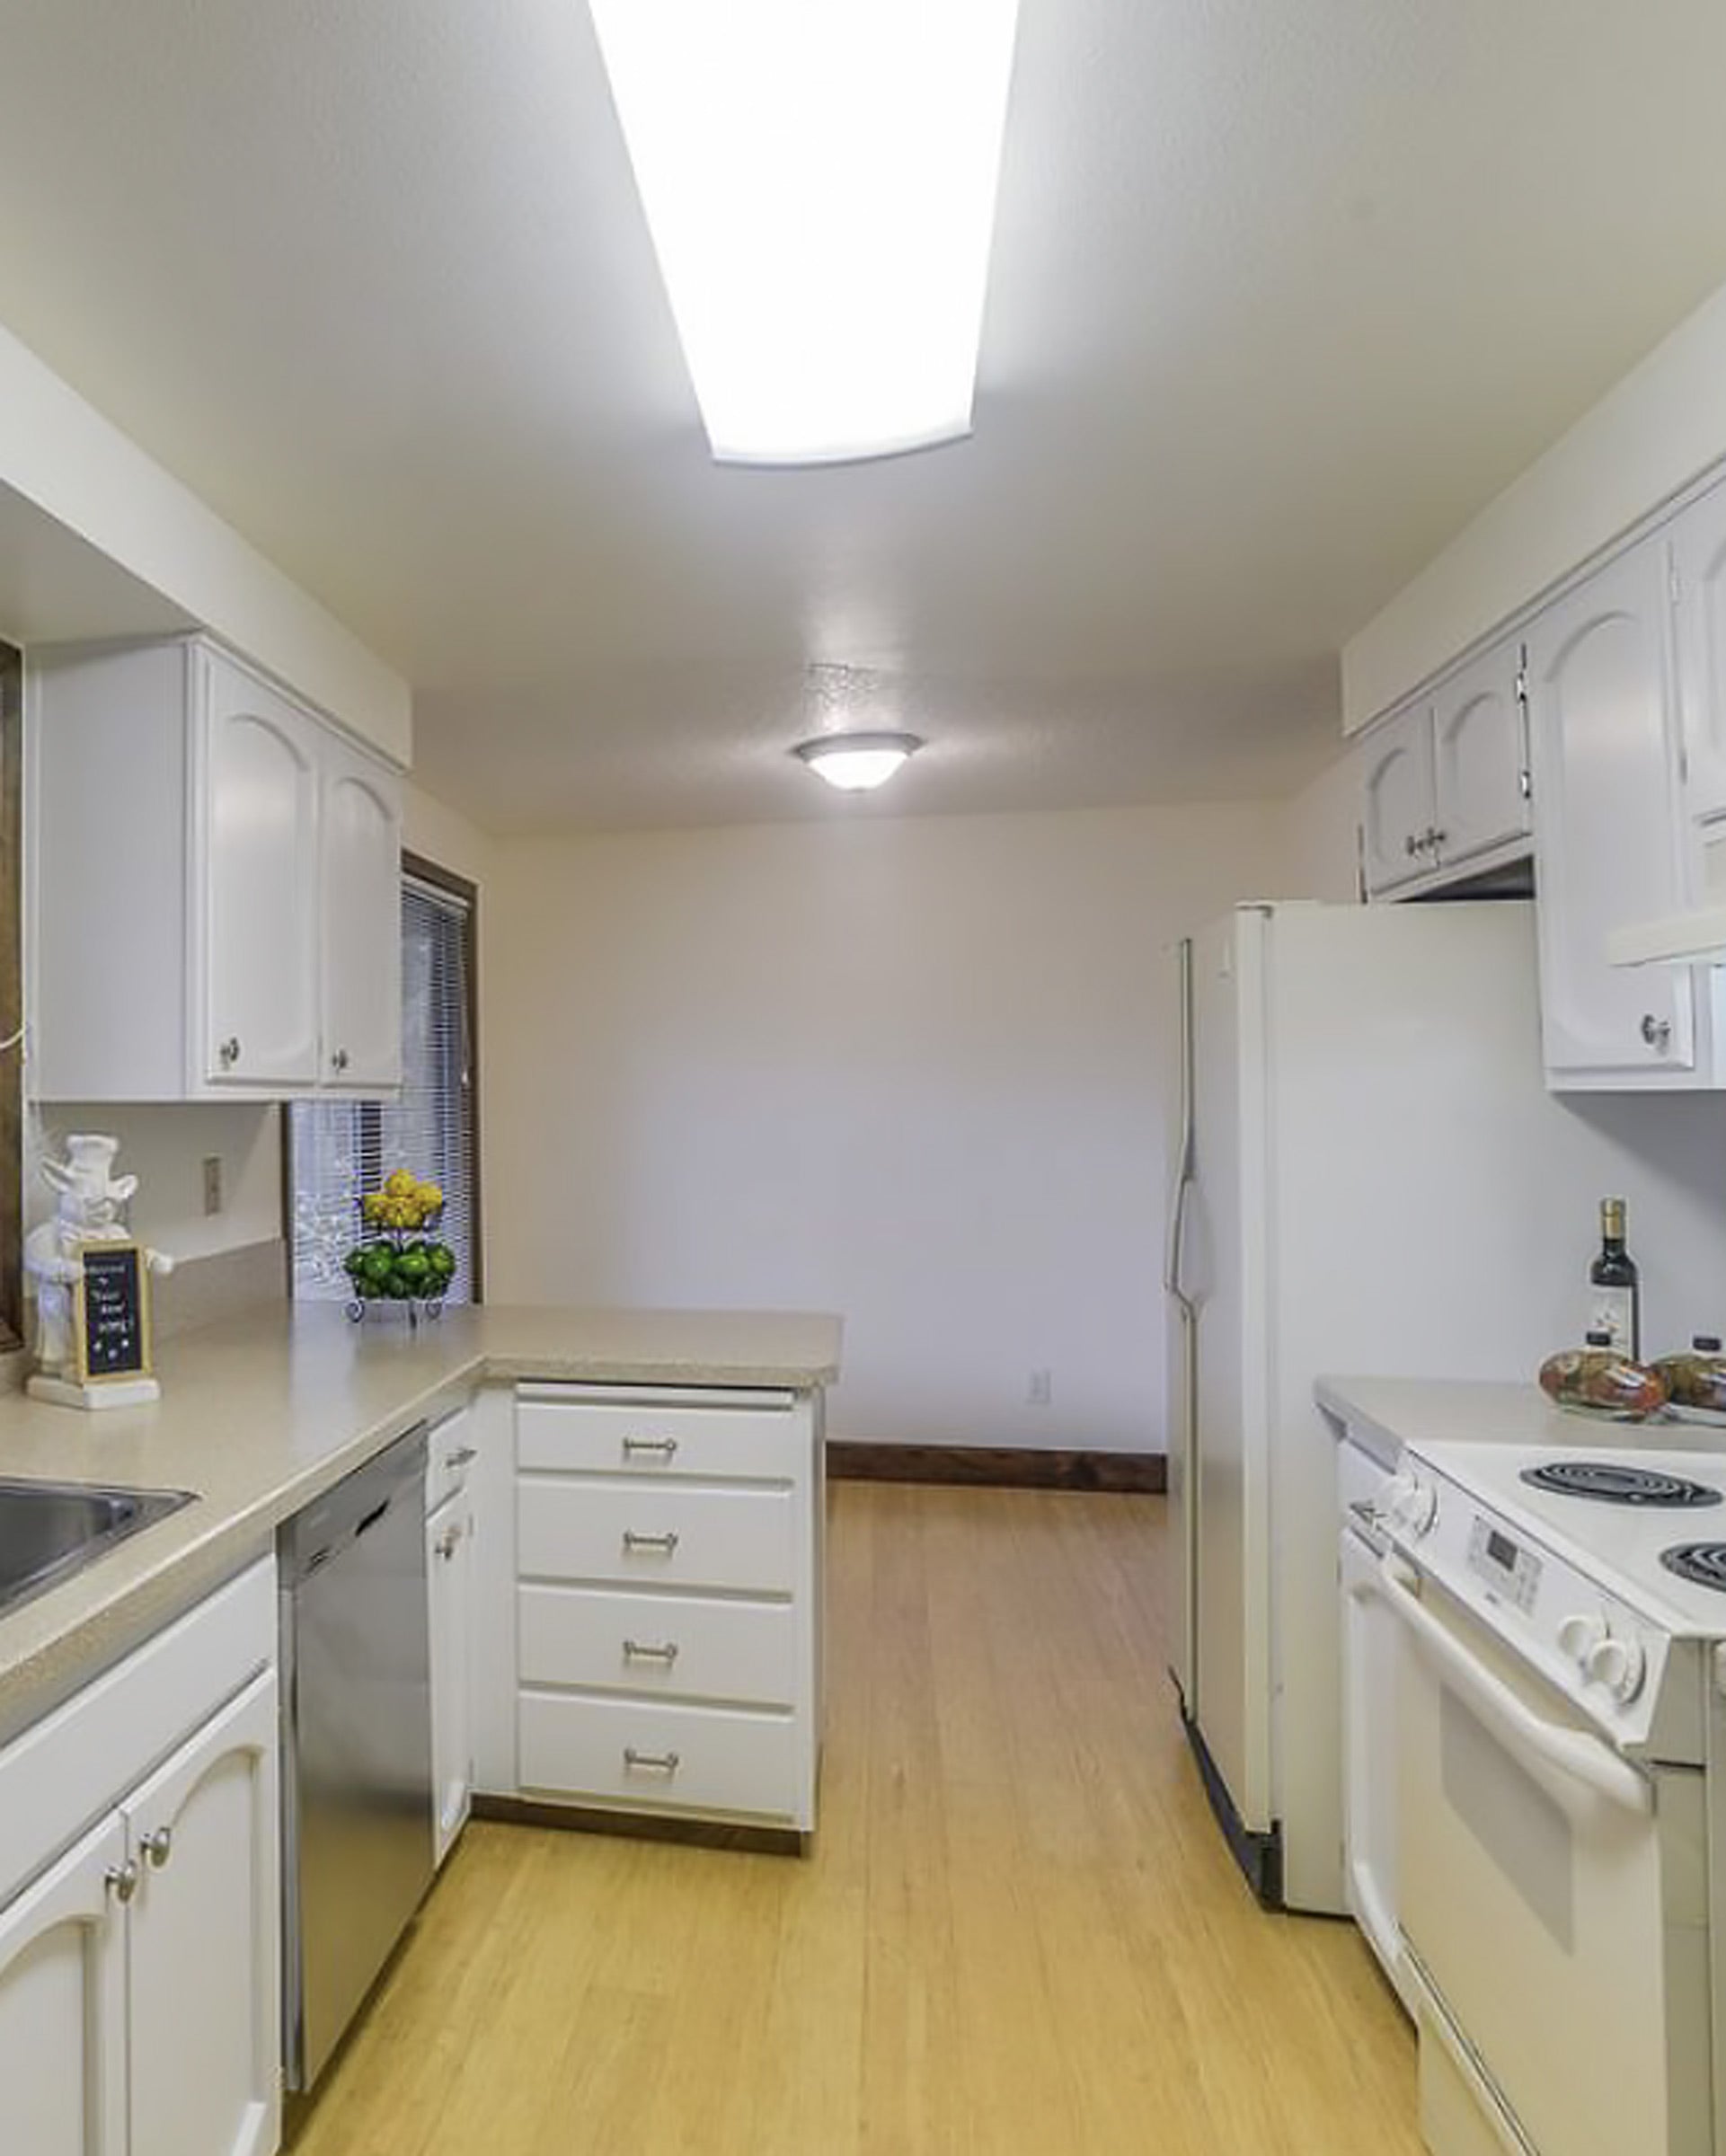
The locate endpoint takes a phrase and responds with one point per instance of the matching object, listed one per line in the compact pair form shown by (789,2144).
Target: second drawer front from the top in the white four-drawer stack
(657,1534)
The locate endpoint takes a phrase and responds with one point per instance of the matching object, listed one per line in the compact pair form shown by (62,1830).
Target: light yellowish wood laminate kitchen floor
(1019,1931)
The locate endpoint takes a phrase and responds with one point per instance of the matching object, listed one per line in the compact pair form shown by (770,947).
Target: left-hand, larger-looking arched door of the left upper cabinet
(262,866)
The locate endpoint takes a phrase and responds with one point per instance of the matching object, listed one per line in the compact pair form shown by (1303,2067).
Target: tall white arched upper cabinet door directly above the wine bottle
(1608,831)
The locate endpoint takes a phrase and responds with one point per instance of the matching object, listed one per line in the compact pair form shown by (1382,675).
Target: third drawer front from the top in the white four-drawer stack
(659,1644)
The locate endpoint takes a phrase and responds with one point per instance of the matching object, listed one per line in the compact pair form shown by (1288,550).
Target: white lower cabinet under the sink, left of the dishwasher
(141,1935)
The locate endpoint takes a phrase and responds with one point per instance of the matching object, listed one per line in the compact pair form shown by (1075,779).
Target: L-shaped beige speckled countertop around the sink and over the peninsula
(264,1413)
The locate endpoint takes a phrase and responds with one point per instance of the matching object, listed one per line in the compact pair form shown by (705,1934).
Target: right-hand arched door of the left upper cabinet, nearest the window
(361,911)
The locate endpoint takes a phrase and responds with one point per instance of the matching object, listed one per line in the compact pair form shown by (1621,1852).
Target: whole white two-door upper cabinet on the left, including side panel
(217,898)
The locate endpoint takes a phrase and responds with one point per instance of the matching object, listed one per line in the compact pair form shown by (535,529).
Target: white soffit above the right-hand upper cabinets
(1647,439)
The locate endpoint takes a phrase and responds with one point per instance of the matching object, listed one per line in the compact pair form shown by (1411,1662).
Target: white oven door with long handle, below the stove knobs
(1552,1903)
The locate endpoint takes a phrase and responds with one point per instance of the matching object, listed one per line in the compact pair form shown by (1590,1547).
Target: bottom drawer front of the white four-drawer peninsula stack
(648,1756)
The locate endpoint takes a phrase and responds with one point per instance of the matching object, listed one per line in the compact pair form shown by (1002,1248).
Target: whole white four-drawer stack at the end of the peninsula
(668,1599)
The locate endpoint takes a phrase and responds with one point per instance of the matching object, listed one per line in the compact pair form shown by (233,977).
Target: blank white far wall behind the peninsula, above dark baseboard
(903,1070)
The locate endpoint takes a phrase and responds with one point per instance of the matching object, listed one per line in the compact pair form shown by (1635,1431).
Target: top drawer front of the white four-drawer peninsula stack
(612,1437)
